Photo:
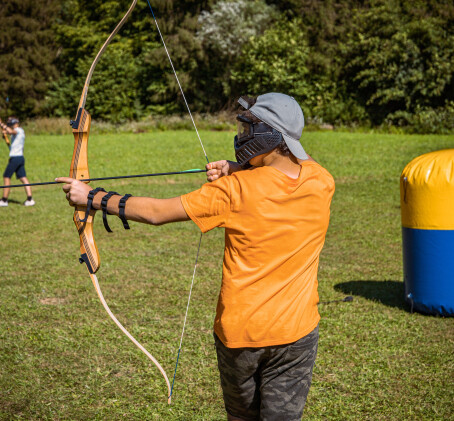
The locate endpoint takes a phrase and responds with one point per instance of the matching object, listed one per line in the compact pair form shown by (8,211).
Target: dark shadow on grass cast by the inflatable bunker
(389,293)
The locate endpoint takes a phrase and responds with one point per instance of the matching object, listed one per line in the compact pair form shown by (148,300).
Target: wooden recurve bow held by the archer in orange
(79,170)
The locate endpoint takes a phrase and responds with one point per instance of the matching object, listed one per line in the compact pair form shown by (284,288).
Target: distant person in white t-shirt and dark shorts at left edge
(16,163)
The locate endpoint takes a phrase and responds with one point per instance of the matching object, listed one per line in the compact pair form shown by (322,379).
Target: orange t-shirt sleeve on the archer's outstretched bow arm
(209,206)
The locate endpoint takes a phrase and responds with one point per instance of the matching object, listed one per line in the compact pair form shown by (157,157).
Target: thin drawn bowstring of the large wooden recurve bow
(208,161)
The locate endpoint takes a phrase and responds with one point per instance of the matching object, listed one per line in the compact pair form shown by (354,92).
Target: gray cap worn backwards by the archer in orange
(284,114)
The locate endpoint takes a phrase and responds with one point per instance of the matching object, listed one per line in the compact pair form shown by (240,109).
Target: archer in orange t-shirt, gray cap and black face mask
(274,205)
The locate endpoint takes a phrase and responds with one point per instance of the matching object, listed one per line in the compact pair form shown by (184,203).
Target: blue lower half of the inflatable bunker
(429,270)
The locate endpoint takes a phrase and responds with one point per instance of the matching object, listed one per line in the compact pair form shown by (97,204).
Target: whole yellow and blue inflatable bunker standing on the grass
(427,206)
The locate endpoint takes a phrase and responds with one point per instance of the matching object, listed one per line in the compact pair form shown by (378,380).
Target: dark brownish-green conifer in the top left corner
(27,55)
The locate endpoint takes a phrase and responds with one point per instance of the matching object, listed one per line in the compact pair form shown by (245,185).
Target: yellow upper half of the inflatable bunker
(427,191)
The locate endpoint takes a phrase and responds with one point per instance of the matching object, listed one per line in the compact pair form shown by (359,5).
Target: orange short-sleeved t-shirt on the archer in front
(275,228)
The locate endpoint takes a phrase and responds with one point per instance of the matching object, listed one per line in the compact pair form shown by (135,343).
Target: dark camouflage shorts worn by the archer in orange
(269,383)
